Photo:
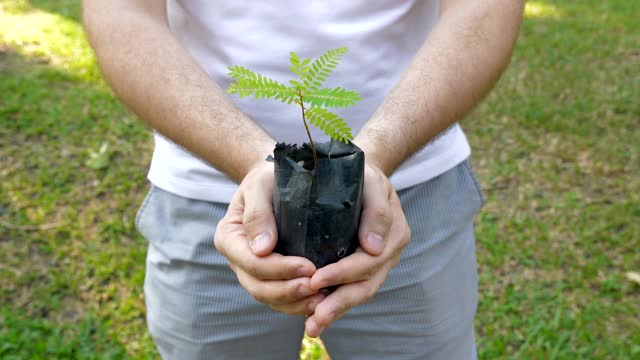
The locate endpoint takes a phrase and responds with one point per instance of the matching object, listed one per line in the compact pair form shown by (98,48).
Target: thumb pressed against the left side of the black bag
(258,218)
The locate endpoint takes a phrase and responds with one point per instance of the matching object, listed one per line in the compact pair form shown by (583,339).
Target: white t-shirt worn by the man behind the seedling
(382,36)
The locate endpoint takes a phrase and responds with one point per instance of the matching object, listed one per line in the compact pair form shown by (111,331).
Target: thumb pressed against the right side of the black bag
(377,217)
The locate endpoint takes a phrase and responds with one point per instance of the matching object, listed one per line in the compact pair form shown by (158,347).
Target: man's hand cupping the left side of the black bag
(247,235)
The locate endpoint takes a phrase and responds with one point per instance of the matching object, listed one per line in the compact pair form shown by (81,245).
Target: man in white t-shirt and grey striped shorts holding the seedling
(420,67)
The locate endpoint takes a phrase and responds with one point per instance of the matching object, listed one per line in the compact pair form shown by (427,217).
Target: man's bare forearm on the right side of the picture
(458,64)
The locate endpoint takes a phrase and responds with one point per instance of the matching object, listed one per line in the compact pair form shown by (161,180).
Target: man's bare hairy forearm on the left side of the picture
(159,81)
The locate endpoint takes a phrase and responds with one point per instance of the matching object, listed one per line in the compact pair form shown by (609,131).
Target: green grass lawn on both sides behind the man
(556,147)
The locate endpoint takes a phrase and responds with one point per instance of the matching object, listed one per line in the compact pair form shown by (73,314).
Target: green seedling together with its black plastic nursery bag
(317,205)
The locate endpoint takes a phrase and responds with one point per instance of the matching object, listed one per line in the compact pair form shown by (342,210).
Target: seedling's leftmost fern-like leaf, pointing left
(249,82)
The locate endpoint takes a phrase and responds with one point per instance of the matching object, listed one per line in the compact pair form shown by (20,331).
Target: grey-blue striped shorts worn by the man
(196,308)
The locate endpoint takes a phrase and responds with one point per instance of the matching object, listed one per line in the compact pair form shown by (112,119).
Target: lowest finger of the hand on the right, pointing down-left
(334,306)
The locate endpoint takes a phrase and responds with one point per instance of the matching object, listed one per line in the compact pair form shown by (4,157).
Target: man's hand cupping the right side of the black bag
(383,233)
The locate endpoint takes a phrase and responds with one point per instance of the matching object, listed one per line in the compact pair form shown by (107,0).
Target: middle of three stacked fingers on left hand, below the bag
(275,292)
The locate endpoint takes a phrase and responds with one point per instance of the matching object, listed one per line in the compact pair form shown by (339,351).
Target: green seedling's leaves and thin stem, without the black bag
(306,91)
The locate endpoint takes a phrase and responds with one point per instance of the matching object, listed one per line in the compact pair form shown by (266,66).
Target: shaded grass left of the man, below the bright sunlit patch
(67,240)
